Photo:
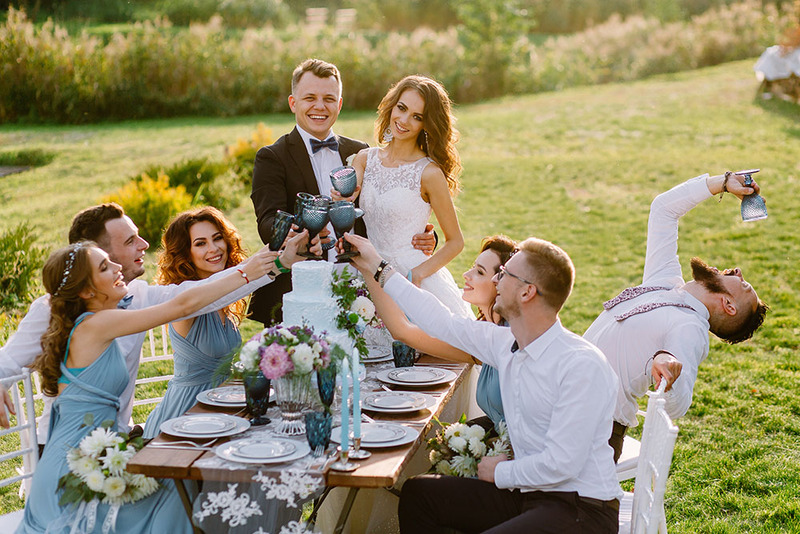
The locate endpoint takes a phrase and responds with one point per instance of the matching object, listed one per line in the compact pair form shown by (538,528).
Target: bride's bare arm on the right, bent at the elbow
(434,191)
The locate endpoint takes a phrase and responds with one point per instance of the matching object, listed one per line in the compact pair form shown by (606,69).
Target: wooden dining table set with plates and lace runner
(381,470)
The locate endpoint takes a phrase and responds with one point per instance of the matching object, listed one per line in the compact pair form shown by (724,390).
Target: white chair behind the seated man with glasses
(642,512)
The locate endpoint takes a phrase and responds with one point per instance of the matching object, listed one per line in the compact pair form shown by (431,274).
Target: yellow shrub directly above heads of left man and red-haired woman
(151,203)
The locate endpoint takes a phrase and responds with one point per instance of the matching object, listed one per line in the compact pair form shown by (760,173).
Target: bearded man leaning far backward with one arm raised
(660,329)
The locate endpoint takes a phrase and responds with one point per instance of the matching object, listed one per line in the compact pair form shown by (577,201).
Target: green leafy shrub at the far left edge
(20,263)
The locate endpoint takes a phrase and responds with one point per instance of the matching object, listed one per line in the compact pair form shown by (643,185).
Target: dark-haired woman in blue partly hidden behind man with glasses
(479,290)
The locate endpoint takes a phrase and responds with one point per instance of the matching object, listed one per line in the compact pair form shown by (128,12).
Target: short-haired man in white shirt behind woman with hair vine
(115,233)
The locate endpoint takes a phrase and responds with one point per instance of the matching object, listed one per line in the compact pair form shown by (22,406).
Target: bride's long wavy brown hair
(438,136)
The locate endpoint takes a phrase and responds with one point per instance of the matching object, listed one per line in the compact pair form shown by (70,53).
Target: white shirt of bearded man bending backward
(630,344)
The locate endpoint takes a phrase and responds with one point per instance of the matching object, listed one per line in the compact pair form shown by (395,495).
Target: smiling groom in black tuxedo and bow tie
(301,161)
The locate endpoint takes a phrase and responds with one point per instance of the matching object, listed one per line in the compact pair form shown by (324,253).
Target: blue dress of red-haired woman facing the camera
(196,360)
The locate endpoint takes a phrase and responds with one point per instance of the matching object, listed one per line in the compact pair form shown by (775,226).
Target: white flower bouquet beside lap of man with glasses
(457,448)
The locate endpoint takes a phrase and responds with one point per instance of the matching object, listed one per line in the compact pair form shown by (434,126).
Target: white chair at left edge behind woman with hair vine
(24,425)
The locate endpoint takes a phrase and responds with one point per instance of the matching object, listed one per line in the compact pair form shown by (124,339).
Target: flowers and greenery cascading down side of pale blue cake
(356,310)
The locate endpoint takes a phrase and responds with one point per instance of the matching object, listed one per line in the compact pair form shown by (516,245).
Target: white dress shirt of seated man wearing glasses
(558,396)
